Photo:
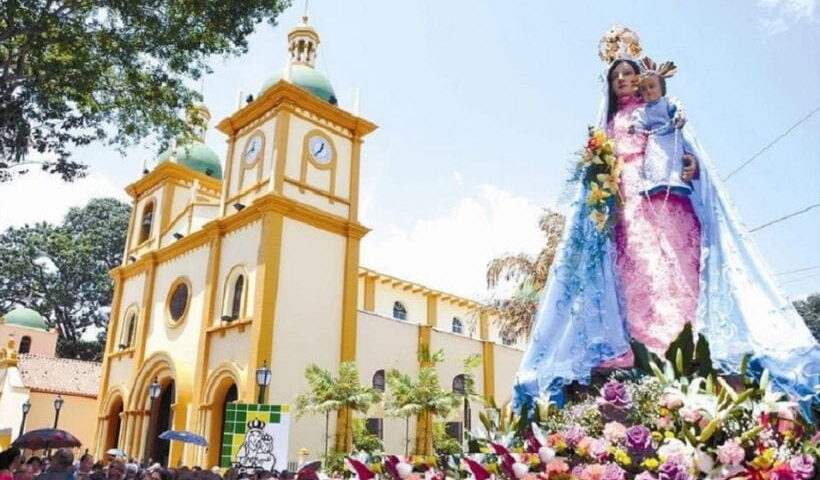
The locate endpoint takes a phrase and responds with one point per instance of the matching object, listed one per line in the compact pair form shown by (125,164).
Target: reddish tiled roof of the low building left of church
(60,375)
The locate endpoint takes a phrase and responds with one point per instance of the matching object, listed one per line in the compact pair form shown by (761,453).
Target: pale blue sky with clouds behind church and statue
(481,105)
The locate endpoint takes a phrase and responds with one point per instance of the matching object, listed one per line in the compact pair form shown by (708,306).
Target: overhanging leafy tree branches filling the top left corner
(73,72)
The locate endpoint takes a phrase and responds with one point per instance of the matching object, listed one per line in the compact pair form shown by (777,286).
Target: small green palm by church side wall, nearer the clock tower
(341,394)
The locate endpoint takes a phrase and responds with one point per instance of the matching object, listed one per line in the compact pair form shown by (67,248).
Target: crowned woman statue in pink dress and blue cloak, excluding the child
(673,256)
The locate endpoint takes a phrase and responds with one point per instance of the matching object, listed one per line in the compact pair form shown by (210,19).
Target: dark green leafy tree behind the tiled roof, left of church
(61,271)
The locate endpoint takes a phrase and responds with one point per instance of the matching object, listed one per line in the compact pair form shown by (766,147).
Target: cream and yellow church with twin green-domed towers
(257,264)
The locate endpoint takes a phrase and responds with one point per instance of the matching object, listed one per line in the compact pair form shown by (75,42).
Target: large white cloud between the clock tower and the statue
(450,252)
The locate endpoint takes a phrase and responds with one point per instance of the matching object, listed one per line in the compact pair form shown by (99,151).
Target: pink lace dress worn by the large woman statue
(657,242)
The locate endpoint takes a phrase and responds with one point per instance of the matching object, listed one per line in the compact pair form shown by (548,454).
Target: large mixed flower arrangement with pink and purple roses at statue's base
(670,418)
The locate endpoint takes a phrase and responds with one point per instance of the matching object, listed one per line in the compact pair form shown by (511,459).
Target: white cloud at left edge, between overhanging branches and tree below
(38,196)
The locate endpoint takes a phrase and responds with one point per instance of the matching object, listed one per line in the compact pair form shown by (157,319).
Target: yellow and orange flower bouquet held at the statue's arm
(601,170)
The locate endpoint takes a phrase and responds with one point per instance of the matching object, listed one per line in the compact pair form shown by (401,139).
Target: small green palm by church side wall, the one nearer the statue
(424,398)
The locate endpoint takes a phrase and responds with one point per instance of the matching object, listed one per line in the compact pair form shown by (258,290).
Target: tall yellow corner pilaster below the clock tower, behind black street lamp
(267,289)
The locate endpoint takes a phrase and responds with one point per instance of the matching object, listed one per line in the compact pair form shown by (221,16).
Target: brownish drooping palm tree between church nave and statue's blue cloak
(515,314)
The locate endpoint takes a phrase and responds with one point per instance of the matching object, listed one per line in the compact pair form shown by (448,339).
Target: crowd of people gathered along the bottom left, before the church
(62,465)
